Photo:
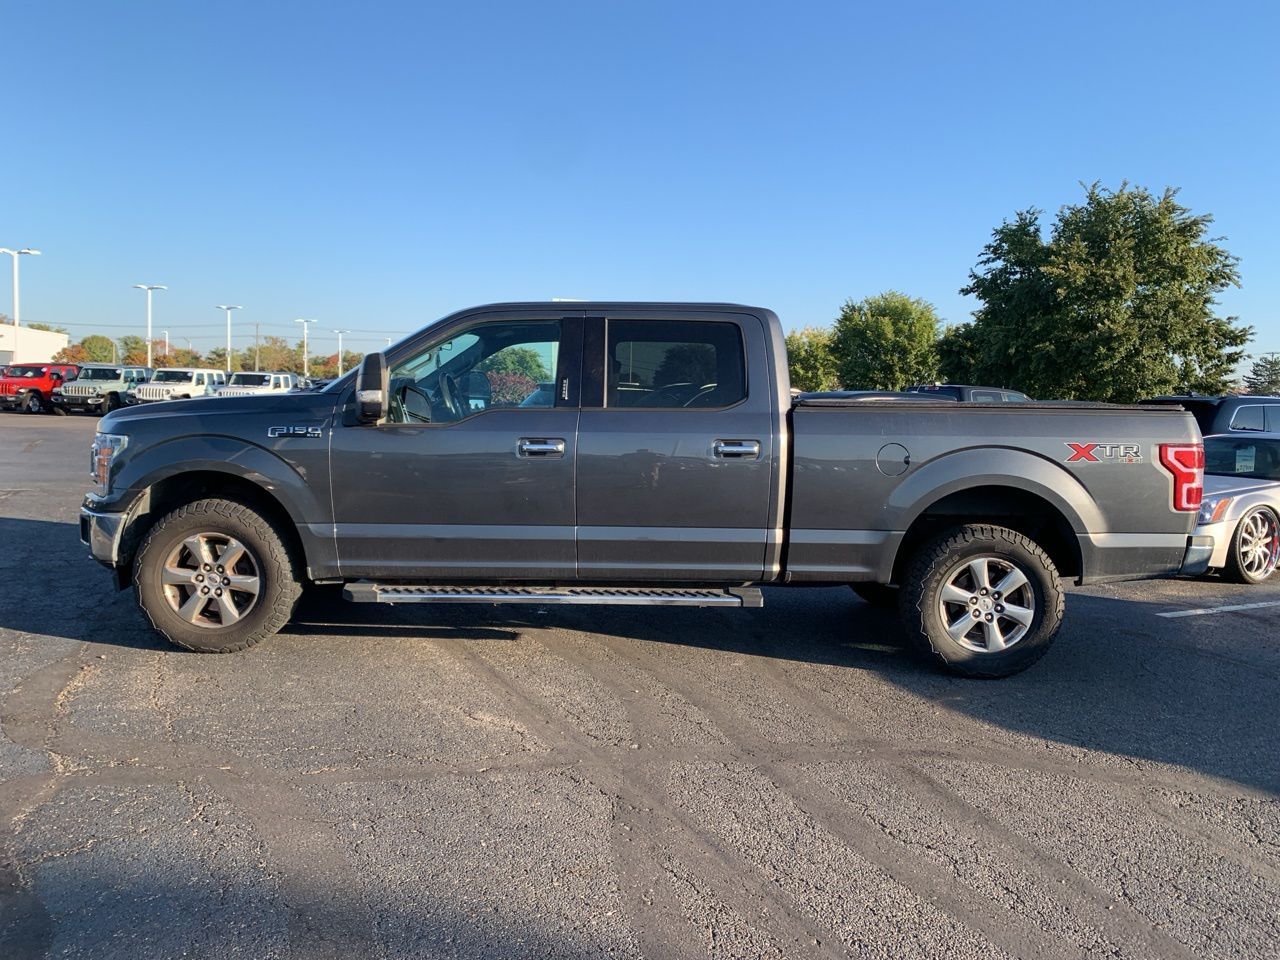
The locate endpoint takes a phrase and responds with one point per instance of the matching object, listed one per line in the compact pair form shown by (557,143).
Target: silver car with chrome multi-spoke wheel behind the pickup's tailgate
(1242,505)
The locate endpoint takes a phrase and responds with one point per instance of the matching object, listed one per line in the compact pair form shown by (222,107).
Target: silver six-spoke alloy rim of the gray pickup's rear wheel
(988,605)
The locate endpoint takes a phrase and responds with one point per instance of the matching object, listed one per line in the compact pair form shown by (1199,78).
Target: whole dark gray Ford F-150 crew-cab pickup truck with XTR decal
(668,464)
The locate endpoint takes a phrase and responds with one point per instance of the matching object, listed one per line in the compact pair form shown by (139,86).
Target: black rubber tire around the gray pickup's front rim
(278,588)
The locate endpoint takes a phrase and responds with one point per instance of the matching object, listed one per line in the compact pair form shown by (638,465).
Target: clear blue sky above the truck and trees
(380,164)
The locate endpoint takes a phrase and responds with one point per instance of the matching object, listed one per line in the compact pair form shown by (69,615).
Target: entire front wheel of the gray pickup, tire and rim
(216,577)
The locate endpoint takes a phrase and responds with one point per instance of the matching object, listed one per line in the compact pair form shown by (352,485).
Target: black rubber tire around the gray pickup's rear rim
(945,561)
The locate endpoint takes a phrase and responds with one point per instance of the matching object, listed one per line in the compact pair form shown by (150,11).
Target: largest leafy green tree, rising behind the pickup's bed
(1117,305)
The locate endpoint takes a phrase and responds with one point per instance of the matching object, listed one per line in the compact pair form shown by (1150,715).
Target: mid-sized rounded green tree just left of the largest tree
(886,342)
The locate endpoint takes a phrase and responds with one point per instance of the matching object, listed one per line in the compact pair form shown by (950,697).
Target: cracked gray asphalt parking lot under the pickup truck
(583,783)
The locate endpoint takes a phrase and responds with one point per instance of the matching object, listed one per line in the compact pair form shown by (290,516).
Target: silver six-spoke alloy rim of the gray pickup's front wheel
(211,580)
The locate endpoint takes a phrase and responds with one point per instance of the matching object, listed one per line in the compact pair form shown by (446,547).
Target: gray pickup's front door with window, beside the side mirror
(472,478)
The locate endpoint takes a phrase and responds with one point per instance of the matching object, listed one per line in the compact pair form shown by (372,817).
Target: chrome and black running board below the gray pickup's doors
(371,592)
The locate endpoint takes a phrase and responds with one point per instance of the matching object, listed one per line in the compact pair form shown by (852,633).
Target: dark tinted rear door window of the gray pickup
(675,364)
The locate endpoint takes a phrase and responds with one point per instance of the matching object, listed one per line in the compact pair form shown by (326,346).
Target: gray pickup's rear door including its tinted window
(678,458)
